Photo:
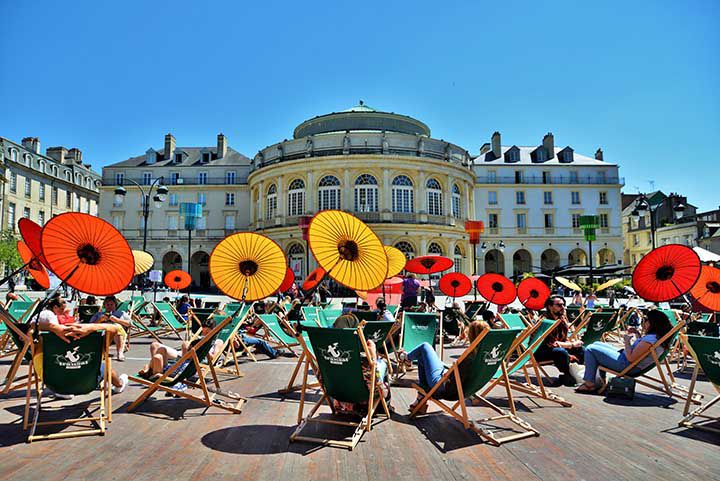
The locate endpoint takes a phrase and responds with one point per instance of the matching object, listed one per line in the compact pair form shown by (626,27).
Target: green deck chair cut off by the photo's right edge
(706,351)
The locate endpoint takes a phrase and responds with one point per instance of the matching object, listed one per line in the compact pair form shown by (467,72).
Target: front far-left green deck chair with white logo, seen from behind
(73,368)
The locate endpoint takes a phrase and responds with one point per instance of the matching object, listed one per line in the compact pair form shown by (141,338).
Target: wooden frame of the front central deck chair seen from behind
(375,399)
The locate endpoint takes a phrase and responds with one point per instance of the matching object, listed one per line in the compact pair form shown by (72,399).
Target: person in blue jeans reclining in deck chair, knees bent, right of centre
(431,368)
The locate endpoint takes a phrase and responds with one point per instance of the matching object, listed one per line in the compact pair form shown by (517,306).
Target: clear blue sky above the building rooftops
(640,79)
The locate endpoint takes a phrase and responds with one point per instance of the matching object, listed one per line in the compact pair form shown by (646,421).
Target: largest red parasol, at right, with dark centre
(666,273)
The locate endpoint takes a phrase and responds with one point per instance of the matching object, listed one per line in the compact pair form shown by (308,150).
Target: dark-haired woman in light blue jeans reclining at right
(655,325)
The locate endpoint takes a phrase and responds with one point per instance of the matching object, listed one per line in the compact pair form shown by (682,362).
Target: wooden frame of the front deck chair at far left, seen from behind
(104,415)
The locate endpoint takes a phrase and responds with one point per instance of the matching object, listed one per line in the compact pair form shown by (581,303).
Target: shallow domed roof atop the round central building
(361,118)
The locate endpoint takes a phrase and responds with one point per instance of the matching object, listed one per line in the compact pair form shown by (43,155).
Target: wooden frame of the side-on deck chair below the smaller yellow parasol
(208,397)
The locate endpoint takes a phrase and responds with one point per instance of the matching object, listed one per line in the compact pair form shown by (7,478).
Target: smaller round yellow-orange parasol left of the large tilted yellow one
(248,266)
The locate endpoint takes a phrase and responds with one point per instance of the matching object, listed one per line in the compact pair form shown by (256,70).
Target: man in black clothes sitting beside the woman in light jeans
(557,347)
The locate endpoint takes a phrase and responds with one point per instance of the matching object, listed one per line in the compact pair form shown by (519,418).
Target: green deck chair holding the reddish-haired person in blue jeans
(472,371)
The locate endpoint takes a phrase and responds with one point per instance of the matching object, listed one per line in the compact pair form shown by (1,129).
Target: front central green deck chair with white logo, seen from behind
(342,379)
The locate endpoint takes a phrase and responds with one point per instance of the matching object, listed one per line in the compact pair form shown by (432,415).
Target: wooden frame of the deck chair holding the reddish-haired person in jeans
(526,430)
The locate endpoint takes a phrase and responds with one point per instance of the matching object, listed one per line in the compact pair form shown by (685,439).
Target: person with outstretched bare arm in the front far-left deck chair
(47,320)
